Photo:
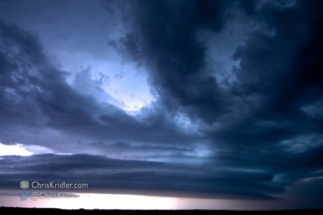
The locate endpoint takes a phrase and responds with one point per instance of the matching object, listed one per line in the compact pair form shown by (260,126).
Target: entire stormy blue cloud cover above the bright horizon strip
(235,105)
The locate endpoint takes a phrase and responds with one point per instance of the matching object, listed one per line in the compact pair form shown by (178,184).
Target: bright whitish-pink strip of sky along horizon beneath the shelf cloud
(129,202)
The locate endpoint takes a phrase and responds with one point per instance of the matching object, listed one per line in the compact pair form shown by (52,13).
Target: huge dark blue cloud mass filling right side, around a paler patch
(275,101)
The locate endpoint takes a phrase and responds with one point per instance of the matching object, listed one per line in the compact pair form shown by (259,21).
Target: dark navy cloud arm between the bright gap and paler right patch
(163,37)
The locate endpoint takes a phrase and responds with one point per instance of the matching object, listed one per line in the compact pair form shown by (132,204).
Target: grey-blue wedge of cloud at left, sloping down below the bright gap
(35,95)
